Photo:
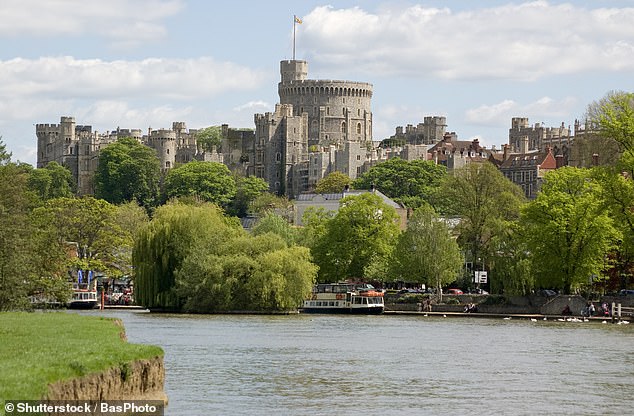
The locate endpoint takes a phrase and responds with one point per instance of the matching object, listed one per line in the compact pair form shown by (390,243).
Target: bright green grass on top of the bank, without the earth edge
(40,348)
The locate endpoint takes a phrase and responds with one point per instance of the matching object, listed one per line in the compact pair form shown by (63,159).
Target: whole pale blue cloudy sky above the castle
(147,63)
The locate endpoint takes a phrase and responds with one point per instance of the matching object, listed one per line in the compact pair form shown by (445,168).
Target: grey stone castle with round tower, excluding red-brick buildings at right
(318,127)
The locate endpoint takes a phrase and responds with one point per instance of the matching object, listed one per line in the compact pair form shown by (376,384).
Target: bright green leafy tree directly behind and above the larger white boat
(363,233)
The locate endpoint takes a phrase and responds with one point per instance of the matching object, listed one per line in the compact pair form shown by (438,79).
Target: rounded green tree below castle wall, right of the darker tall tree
(208,181)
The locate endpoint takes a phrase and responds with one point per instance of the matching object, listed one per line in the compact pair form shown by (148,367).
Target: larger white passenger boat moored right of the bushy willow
(344,298)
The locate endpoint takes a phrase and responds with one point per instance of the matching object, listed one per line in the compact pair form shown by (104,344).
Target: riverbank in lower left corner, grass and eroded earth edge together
(61,356)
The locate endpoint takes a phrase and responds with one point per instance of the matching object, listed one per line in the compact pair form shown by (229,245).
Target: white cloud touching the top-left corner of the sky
(121,21)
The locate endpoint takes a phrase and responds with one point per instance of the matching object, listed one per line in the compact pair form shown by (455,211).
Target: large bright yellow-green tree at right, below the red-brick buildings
(569,234)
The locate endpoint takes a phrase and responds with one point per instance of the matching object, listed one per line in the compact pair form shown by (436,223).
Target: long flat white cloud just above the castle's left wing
(181,79)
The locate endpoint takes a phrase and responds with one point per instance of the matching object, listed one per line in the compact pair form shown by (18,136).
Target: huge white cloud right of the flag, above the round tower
(524,41)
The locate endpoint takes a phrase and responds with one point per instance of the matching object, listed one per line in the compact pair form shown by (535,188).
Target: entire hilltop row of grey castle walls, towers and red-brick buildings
(323,126)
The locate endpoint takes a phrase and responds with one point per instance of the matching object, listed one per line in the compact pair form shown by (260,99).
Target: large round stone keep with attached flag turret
(338,111)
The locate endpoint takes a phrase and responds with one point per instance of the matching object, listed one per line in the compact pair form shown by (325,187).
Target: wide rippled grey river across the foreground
(387,365)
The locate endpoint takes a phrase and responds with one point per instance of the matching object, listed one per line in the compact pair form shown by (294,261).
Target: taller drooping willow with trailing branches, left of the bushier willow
(163,244)
